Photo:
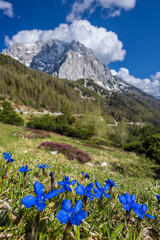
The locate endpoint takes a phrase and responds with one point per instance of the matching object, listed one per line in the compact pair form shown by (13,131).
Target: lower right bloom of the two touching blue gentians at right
(141,210)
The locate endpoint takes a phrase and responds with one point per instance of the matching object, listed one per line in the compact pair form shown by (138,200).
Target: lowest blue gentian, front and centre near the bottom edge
(74,215)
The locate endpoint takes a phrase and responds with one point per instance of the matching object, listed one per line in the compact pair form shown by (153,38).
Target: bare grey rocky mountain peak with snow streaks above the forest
(72,61)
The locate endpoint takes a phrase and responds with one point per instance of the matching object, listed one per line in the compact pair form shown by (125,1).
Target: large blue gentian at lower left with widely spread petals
(29,201)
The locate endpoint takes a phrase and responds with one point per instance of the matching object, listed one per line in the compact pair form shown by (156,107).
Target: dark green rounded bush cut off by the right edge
(151,146)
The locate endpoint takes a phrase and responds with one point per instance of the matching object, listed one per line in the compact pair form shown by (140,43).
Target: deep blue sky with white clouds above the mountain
(124,34)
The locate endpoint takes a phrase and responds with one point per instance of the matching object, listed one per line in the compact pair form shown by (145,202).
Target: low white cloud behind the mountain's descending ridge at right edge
(151,87)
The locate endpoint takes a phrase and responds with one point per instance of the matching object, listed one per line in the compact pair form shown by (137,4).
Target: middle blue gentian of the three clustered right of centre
(100,191)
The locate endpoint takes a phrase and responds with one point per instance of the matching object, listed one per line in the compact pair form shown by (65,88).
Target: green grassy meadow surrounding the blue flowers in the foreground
(106,218)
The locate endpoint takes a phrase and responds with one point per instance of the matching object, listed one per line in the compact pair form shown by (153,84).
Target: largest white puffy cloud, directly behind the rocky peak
(105,44)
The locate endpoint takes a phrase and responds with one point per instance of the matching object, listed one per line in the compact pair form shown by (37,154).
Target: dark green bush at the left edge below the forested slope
(9,116)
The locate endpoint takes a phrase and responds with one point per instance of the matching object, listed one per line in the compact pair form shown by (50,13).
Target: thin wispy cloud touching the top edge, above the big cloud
(114,6)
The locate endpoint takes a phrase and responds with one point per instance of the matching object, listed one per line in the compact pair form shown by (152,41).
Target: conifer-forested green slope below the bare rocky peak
(41,90)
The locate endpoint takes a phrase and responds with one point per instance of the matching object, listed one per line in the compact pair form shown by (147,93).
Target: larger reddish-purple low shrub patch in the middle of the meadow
(69,151)
